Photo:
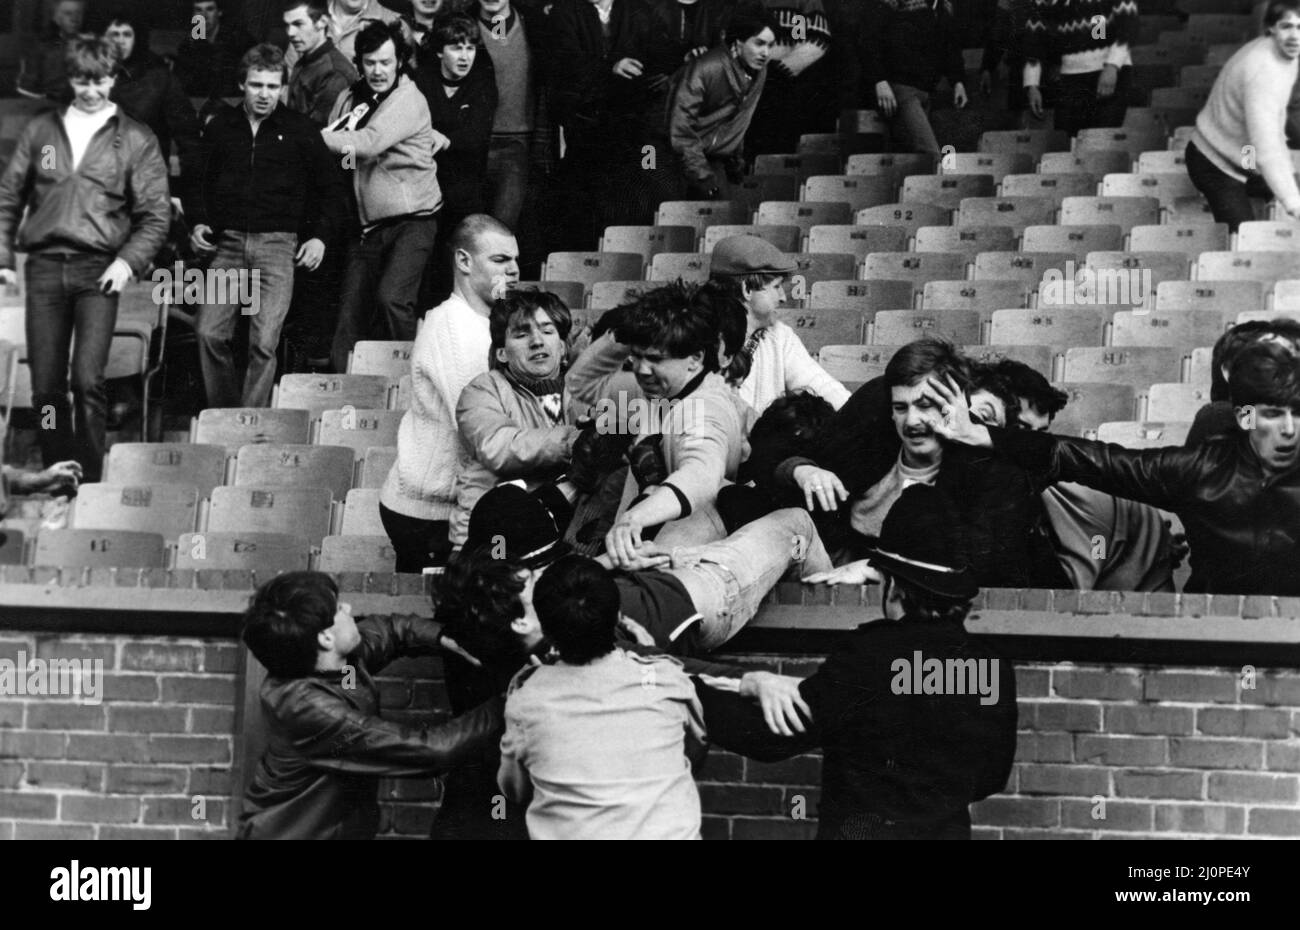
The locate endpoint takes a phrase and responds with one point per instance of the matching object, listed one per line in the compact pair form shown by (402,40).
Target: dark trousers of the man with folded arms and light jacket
(383,272)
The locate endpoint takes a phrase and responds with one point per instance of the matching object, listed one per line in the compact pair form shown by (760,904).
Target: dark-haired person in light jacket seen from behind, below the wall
(600,743)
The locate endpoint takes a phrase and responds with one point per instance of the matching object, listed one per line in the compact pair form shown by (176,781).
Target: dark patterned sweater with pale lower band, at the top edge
(1081,36)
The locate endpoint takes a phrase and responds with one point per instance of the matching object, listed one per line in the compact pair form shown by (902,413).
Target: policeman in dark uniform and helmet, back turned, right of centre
(916,717)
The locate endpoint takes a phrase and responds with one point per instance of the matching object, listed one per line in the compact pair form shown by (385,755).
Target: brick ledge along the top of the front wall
(1026,625)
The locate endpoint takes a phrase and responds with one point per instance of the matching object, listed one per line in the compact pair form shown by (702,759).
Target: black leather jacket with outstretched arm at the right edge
(1243,525)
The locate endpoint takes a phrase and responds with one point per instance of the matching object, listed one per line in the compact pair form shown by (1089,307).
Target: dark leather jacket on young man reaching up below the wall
(327,747)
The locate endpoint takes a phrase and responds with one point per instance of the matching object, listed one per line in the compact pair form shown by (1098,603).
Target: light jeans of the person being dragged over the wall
(727,581)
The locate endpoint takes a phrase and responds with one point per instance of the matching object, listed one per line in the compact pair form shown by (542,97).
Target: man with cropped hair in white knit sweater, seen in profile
(450,351)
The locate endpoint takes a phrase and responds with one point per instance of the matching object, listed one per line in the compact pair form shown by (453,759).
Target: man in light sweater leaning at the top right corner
(1241,133)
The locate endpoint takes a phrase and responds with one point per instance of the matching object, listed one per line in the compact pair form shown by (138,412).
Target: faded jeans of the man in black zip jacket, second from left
(271,256)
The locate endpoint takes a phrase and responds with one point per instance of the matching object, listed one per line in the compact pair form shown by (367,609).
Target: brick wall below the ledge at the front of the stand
(1104,751)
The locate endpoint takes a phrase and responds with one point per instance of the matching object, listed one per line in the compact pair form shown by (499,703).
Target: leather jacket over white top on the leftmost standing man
(115,204)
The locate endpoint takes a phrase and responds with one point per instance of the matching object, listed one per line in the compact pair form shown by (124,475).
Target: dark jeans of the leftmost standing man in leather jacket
(63,301)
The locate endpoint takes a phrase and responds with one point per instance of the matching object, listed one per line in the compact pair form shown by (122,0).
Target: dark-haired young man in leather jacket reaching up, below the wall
(327,743)
